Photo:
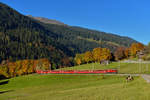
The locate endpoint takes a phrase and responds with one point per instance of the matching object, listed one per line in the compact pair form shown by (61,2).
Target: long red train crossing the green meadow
(108,71)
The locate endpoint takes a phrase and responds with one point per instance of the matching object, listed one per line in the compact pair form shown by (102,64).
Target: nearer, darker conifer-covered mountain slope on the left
(23,38)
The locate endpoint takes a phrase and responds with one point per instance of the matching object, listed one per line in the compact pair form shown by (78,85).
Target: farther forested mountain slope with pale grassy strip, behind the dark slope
(81,39)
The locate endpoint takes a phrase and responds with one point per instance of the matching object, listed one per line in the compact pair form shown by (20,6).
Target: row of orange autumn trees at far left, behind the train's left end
(22,67)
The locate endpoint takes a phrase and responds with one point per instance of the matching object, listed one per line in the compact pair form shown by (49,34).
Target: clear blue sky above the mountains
(123,17)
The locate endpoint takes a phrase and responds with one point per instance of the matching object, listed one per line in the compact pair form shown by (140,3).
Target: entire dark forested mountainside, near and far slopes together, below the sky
(22,37)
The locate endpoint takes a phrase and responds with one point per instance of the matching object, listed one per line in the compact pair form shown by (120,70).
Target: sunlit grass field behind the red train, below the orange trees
(122,67)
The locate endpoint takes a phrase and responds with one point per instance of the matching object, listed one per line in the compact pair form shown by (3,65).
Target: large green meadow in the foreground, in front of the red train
(74,87)
